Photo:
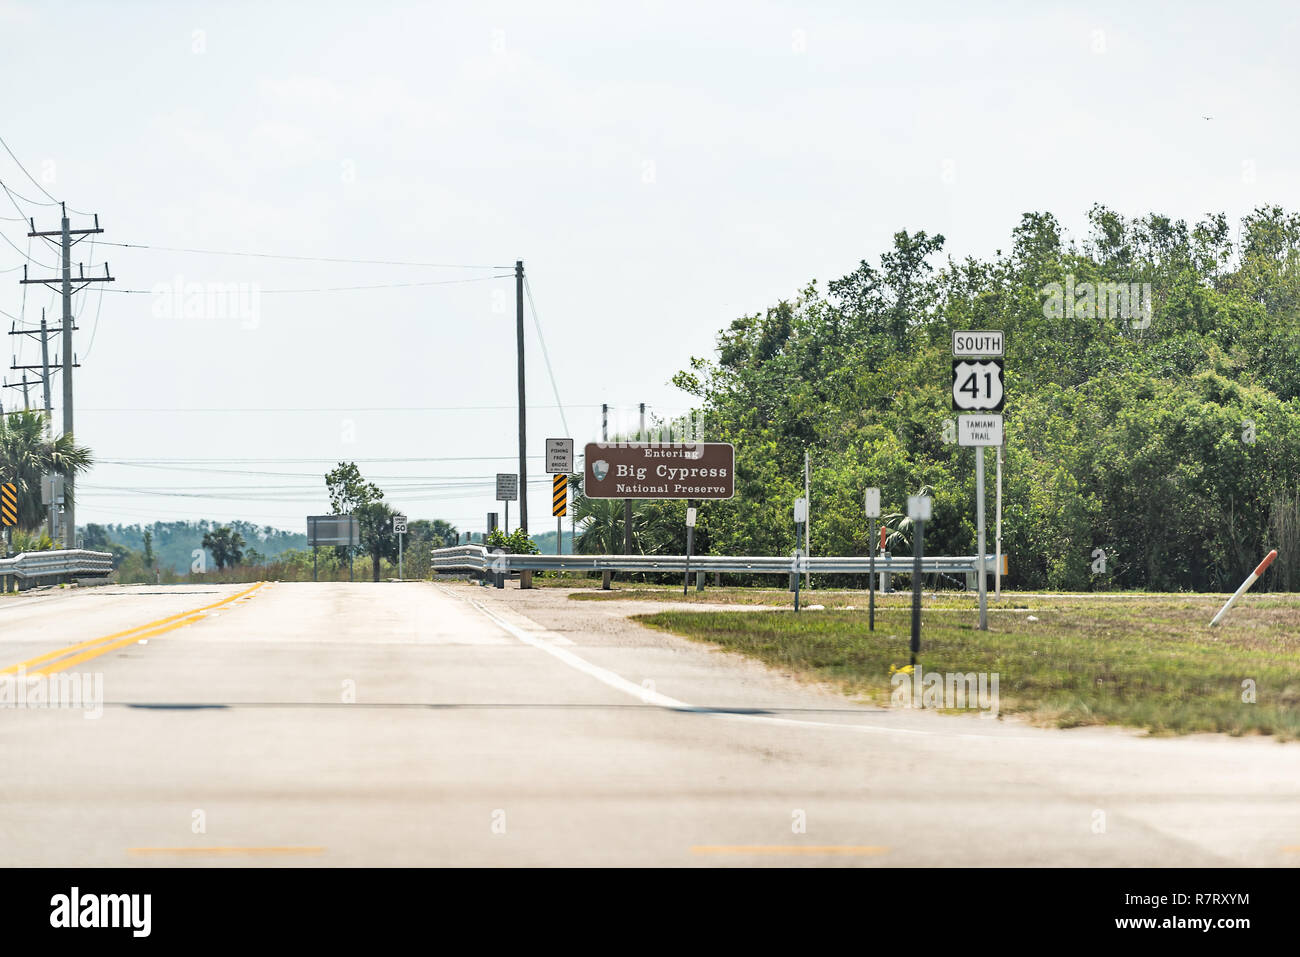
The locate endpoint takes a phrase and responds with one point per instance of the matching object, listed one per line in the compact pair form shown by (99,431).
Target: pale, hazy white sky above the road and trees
(661,170)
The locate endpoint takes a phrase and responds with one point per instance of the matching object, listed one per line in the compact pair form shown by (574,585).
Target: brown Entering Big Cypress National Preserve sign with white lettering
(640,470)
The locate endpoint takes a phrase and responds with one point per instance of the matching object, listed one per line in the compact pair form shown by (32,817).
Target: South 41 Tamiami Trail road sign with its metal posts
(980,387)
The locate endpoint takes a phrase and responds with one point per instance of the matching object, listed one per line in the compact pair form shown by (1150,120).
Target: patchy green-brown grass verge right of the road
(1150,664)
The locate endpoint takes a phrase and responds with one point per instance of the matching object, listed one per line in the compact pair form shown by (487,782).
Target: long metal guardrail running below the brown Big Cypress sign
(476,558)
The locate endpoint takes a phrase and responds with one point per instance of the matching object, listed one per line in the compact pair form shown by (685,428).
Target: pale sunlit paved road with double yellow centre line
(410,724)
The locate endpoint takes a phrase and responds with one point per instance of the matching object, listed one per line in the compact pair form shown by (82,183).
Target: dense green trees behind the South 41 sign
(1172,445)
